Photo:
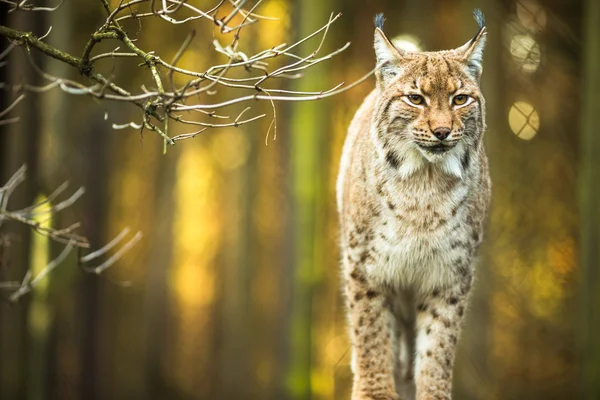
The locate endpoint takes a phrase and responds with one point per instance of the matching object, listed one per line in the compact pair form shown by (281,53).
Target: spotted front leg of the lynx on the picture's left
(371,334)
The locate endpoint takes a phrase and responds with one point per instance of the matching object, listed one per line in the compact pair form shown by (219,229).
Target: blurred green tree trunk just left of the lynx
(307,131)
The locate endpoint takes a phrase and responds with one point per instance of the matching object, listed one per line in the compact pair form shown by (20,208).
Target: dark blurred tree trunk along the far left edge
(18,148)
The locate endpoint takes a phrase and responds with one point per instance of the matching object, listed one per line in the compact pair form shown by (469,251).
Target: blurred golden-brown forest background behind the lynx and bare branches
(234,293)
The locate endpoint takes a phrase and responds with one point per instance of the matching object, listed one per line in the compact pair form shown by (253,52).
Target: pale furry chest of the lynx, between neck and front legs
(421,237)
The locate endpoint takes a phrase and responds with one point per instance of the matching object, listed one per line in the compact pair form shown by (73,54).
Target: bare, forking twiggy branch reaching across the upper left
(161,104)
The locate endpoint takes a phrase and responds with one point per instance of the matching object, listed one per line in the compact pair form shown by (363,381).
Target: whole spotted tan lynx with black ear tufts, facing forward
(413,193)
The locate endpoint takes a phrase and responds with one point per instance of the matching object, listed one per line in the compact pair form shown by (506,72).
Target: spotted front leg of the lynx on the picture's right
(439,320)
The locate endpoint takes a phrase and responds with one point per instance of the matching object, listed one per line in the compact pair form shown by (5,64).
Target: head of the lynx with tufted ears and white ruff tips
(429,105)
